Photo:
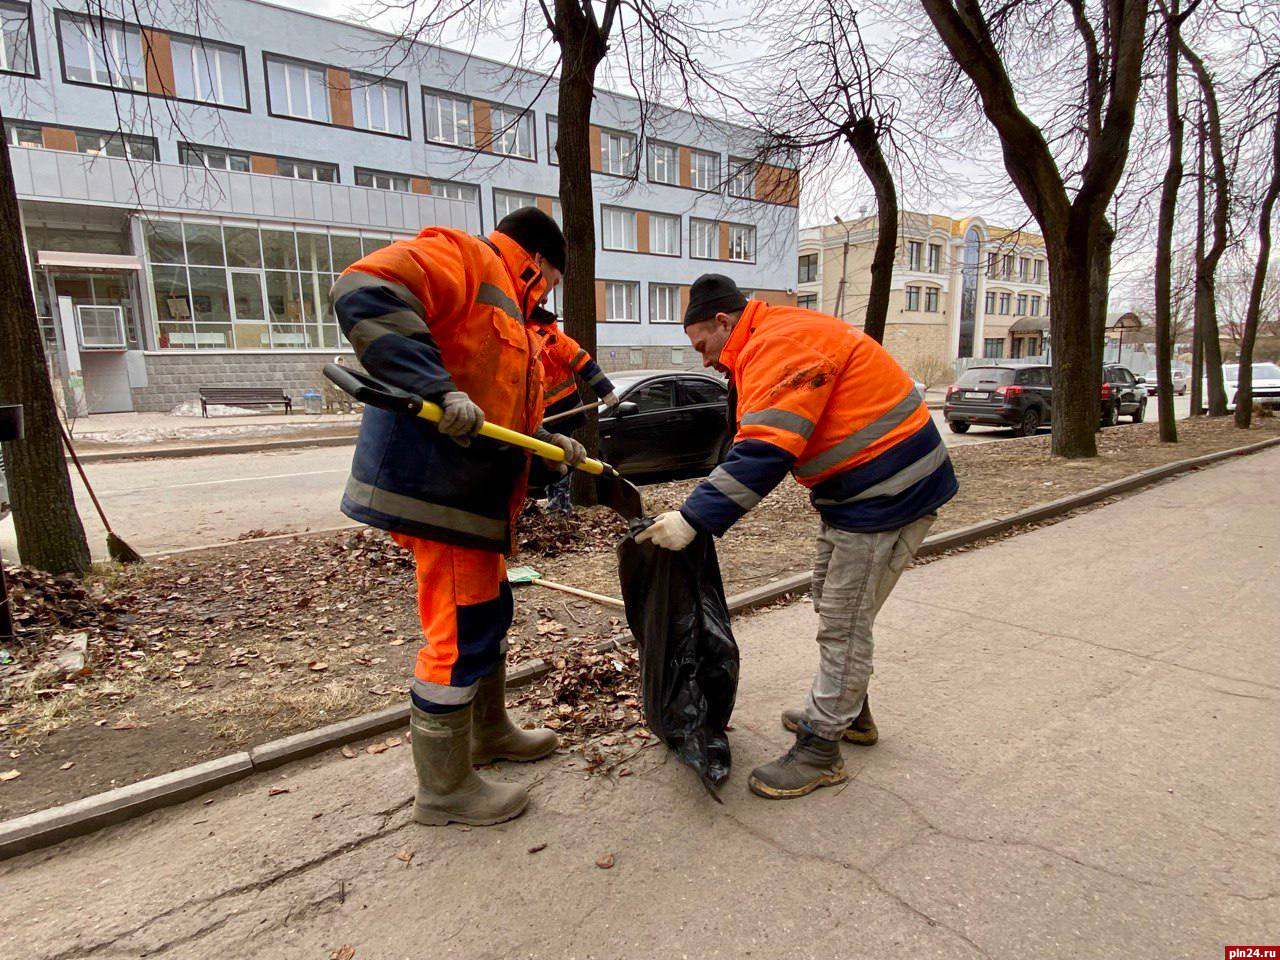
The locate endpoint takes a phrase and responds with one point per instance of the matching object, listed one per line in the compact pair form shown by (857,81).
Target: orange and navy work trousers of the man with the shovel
(465,605)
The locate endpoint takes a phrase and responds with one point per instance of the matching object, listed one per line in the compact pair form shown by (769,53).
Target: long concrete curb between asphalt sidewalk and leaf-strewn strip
(58,824)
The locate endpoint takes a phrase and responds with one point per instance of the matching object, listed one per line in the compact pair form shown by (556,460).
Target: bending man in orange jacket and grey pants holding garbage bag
(829,405)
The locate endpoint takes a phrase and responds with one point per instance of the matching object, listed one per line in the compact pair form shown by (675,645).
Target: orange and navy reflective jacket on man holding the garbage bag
(830,405)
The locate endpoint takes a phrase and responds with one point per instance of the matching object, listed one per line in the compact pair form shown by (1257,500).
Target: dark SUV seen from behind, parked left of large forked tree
(1021,397)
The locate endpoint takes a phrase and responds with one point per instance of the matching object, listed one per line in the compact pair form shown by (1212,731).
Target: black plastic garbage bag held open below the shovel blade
(676,611)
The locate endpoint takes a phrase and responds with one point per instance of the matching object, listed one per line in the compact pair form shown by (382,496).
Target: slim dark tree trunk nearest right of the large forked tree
(1165,239)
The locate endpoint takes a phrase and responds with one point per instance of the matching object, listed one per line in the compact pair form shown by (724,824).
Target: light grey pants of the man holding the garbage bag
(853,575)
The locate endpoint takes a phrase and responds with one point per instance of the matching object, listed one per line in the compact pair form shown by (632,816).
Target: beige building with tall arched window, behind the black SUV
(962,289)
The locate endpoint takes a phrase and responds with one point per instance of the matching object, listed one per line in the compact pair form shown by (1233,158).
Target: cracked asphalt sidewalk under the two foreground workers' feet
(1072,766)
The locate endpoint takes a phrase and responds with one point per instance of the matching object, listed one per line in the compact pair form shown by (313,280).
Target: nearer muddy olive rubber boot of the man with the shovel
(449,790)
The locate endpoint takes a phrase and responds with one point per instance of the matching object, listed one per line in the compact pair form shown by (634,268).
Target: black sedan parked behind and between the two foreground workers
(668,422)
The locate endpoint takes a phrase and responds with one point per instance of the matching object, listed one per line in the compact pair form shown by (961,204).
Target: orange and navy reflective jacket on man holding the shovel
(444,312)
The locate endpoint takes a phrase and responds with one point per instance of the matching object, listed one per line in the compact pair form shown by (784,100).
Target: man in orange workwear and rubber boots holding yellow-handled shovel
(445,317)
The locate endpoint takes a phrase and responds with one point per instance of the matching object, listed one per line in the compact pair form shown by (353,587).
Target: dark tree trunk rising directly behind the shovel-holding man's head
(582,51)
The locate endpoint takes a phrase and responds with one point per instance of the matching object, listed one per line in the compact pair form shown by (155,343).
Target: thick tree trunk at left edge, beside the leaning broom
(49,531)
